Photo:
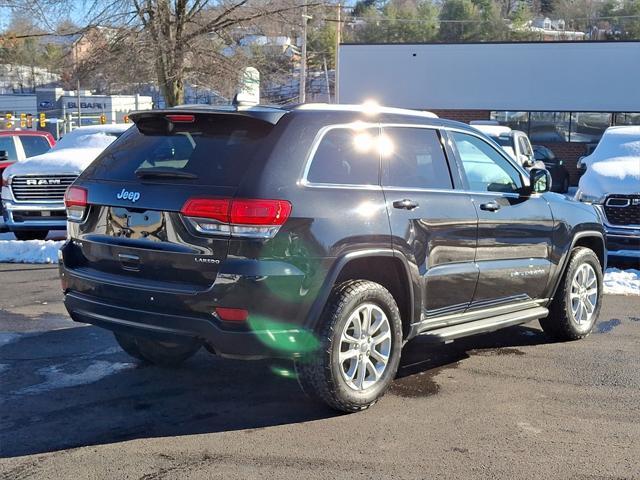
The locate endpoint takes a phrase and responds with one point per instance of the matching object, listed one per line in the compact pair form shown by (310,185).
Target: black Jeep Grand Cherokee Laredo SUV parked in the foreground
(330,235)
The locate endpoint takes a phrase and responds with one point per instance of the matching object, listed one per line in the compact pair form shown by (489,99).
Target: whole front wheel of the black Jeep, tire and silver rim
(576,306)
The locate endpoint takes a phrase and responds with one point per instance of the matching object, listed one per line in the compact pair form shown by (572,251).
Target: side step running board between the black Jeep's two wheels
(448,334)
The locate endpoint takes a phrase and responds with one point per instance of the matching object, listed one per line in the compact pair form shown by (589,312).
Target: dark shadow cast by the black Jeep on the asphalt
(74,387)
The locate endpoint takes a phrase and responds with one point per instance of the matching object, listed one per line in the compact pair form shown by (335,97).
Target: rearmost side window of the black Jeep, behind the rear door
(346,156)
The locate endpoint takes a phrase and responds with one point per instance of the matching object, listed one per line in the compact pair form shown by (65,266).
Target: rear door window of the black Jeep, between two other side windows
(414,159)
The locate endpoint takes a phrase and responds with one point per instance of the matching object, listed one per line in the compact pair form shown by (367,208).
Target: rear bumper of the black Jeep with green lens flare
(274,328)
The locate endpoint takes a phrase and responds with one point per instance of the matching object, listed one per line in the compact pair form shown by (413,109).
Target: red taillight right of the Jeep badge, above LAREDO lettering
(258,218)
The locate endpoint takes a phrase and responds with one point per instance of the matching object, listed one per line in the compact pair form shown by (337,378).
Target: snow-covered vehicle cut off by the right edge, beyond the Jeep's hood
(611,183)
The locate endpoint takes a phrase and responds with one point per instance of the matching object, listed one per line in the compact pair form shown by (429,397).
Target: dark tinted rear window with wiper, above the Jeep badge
(214,150)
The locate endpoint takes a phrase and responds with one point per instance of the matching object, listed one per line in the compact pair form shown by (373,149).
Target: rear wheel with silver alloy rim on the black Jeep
(359,353)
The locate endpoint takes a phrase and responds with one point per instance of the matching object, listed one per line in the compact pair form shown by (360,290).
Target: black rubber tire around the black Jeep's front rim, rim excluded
(561,324)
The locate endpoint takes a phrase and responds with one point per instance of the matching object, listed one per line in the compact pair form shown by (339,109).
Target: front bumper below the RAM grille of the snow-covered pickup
(34,216)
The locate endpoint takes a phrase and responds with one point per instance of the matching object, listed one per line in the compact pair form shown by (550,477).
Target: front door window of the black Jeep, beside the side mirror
(485,168)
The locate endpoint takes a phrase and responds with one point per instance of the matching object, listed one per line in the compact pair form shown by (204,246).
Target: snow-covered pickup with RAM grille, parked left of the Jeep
(33,189)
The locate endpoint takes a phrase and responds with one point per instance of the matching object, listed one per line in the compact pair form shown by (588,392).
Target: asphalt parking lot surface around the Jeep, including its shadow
(504,405)
